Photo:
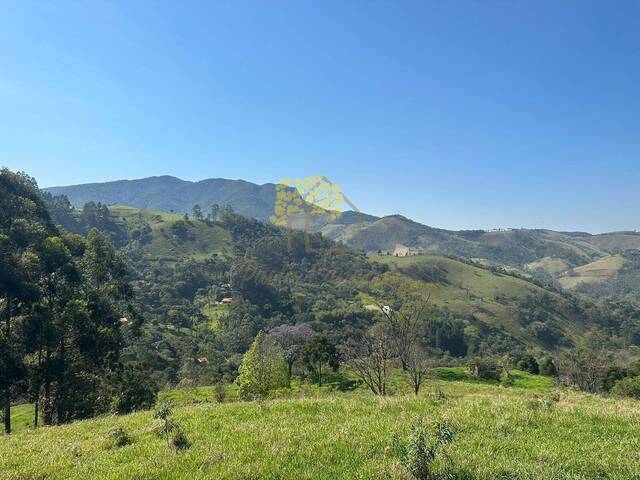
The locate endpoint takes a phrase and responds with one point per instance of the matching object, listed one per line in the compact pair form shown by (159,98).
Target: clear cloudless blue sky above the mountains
(459,114)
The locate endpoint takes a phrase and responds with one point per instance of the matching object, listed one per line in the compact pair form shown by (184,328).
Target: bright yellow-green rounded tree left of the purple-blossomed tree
(263,369)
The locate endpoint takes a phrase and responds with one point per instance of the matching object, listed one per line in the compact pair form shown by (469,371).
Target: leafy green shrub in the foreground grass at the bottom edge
(419,451)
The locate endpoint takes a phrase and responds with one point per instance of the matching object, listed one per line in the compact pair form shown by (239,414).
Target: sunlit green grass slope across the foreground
(512,433)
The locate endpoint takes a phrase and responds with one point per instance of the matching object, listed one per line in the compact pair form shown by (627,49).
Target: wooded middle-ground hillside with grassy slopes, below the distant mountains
(190,262)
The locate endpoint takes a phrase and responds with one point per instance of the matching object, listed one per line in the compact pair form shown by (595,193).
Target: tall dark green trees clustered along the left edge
(65,310)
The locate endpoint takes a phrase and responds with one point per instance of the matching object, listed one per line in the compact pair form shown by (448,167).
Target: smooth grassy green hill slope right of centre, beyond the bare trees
(497,299)
